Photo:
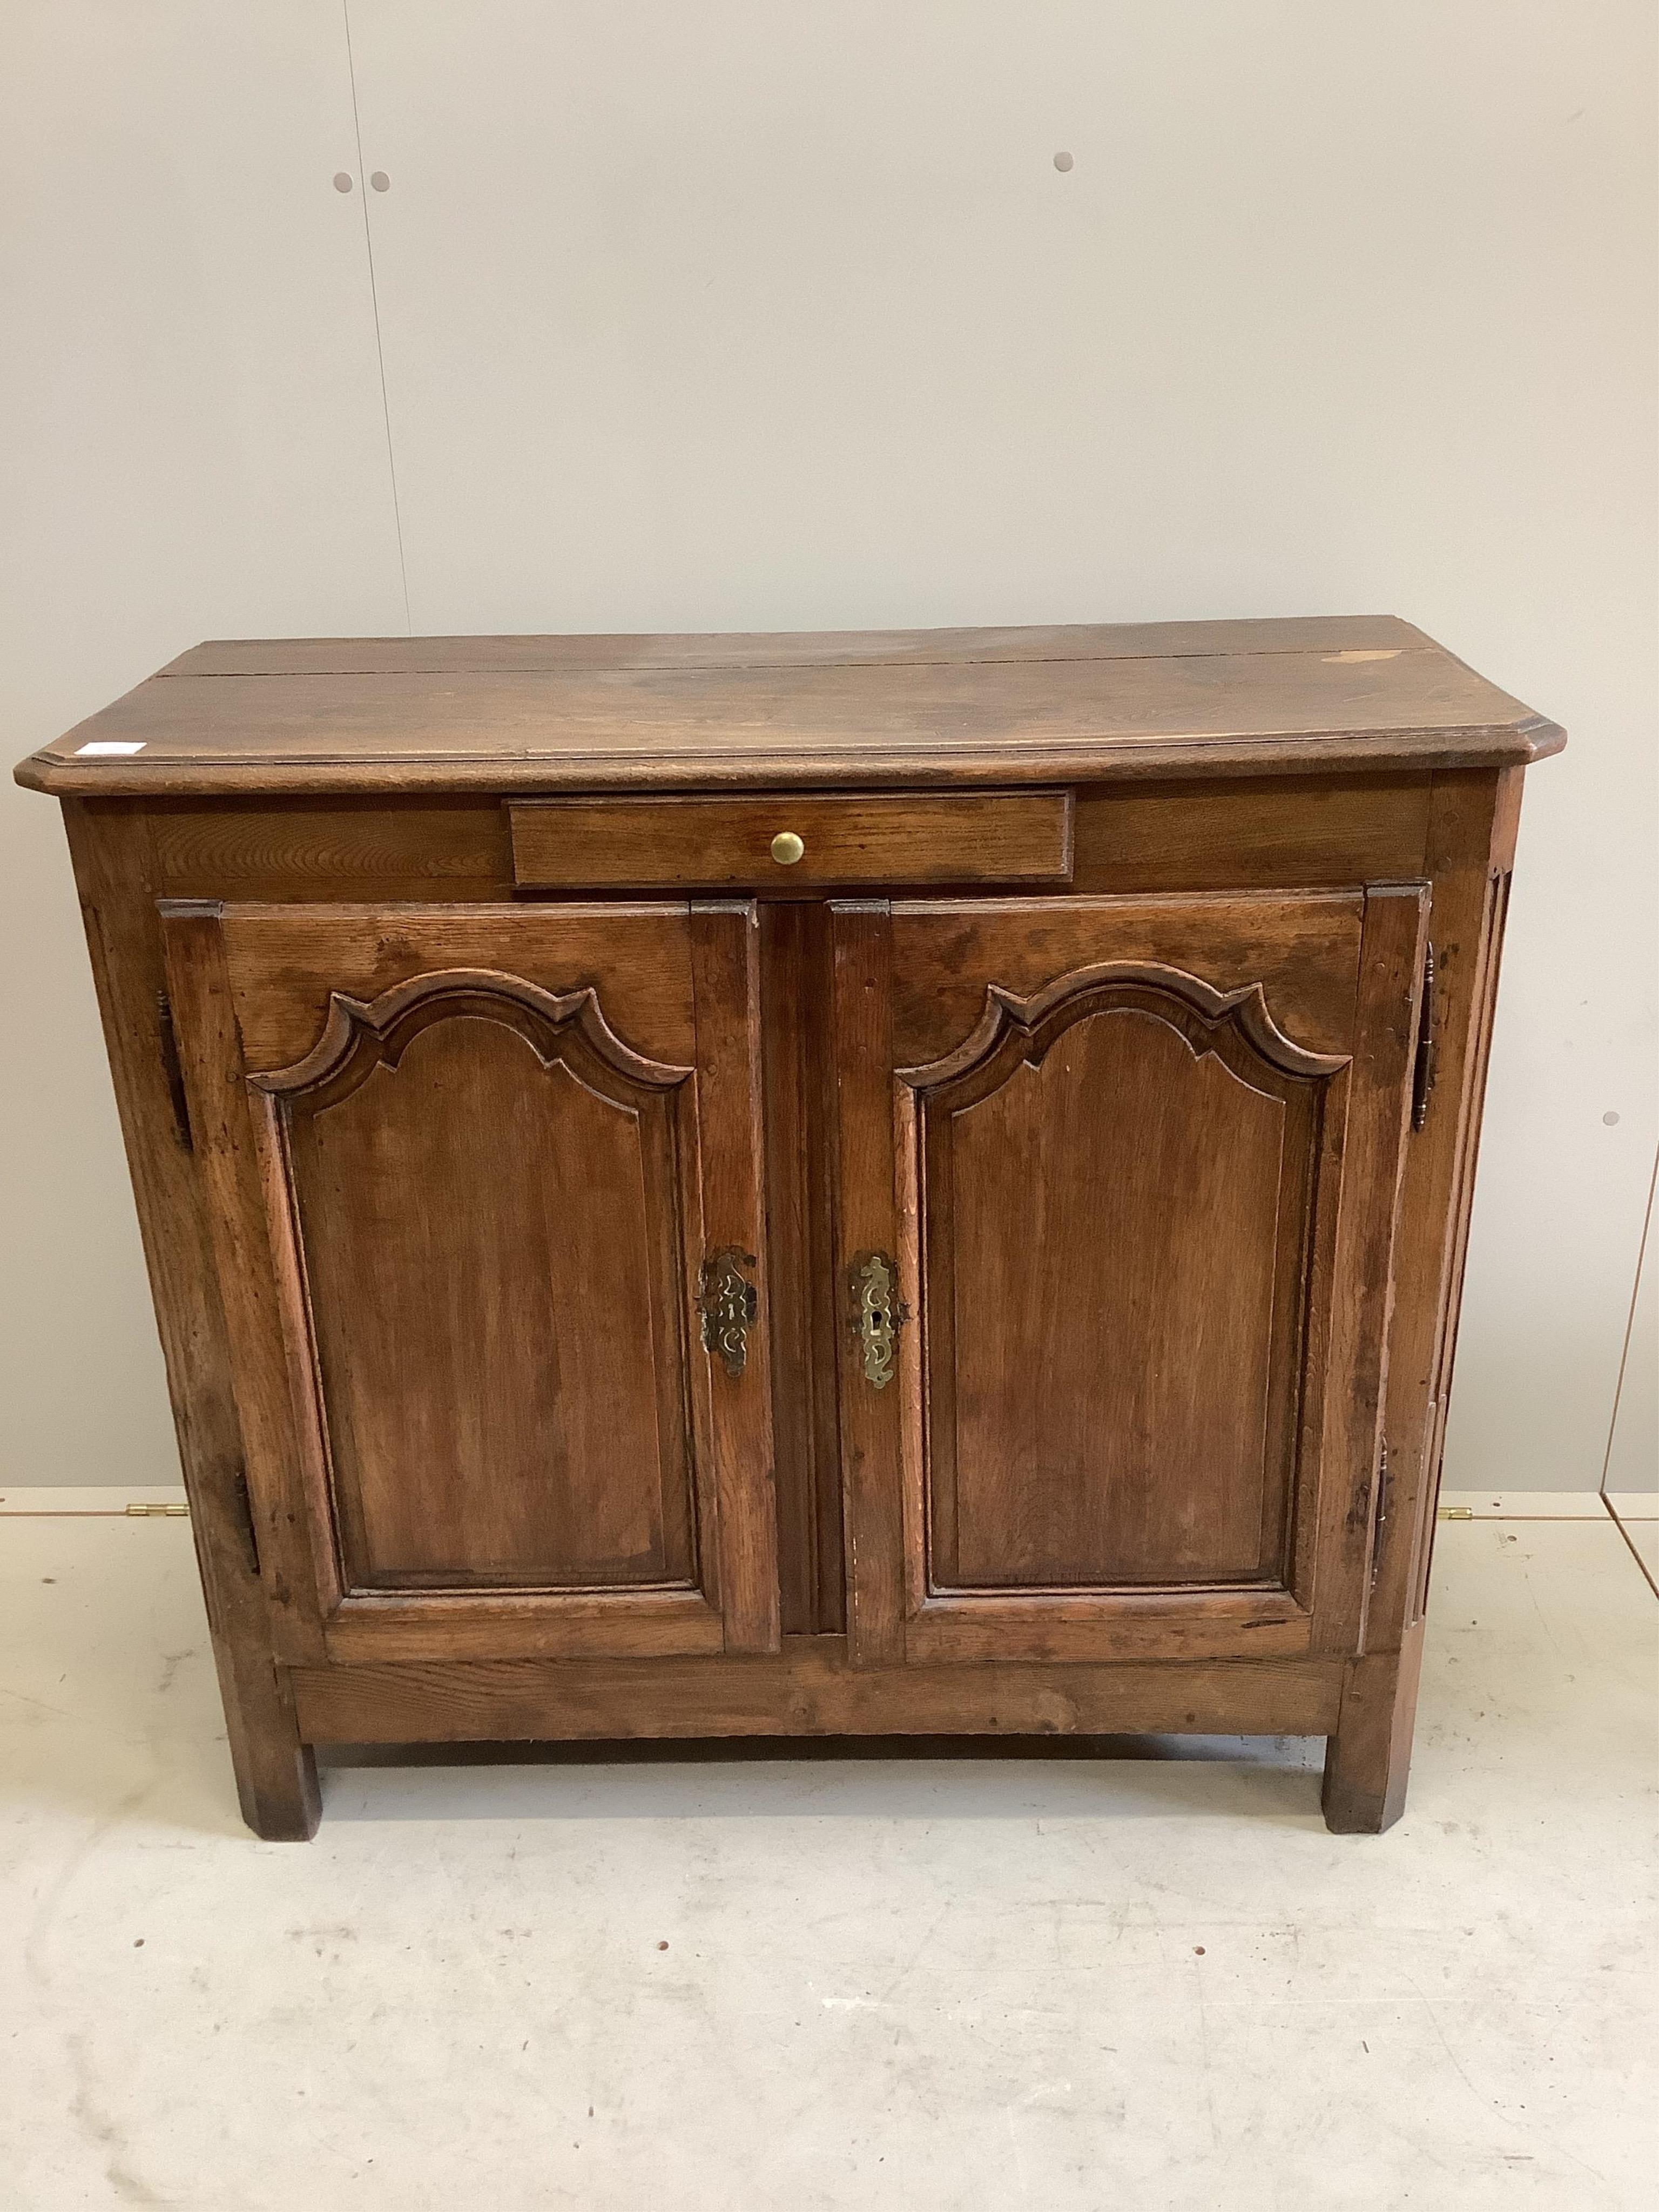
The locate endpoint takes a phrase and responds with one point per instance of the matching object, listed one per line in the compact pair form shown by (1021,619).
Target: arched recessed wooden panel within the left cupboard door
(488,1209)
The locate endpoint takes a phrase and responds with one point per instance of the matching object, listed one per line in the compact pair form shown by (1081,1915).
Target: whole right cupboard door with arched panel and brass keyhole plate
(1118,1185)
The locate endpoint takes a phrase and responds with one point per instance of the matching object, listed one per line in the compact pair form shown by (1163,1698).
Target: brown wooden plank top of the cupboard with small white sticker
(899,709)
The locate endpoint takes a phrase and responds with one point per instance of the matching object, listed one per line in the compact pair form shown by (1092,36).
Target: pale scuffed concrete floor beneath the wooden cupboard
(806,1985)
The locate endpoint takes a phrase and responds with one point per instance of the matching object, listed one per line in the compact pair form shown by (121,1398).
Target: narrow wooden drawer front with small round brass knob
(791,844)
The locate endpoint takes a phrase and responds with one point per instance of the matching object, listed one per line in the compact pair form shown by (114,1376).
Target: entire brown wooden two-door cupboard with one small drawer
(899,1182)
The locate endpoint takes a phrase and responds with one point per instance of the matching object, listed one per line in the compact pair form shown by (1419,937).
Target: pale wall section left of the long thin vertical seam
(194,446)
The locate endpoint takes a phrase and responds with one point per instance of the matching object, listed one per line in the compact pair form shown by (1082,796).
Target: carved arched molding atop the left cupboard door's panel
(366,1034)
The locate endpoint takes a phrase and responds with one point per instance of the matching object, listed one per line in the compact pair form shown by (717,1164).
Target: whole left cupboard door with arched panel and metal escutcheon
(486,1198)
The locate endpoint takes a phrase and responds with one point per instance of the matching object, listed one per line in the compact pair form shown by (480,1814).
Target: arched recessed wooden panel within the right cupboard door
(1118,1193)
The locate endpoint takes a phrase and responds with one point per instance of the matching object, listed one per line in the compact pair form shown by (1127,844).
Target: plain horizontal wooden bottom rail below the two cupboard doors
(806,1691)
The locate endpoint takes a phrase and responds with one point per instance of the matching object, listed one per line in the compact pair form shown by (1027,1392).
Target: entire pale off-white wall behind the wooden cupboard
(784,317)
